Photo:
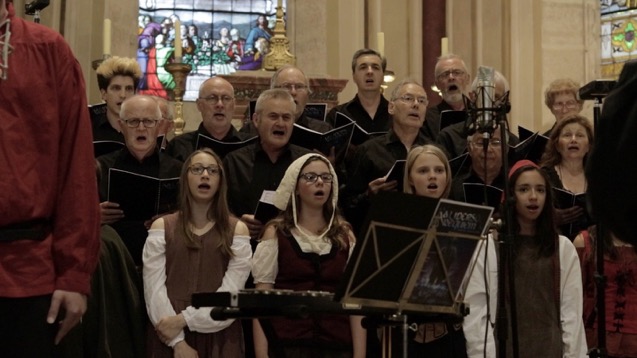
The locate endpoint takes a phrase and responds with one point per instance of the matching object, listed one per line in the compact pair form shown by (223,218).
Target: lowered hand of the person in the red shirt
(74,305)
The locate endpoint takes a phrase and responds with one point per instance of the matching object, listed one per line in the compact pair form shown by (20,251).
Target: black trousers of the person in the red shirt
(24,331)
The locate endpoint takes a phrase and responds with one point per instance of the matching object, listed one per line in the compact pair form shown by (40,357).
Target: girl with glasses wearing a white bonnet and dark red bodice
(305,248)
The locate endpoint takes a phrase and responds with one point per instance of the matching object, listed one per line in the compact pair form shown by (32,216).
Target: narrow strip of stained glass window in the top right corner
(619,23)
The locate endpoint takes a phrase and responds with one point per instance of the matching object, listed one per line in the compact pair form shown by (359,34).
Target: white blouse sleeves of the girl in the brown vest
(157,303)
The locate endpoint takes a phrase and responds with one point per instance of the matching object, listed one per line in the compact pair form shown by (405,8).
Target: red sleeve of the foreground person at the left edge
(76,217)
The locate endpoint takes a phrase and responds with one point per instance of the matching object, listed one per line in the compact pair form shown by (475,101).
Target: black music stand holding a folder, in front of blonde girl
(414,258)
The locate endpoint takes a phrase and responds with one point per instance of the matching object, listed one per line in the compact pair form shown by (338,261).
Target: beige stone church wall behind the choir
(531,42)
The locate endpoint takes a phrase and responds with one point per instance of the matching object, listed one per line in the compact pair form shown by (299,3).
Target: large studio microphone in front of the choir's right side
(485,117)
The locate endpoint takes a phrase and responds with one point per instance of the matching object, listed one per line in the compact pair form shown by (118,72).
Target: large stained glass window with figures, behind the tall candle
(217,37)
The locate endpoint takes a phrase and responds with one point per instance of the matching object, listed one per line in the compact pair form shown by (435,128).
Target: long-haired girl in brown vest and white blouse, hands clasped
(200,248)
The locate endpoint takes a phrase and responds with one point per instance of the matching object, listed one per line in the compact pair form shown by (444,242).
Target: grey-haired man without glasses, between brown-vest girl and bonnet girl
(261,166)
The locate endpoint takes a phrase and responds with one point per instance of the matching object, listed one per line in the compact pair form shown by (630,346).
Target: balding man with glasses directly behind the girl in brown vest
(216,104)
